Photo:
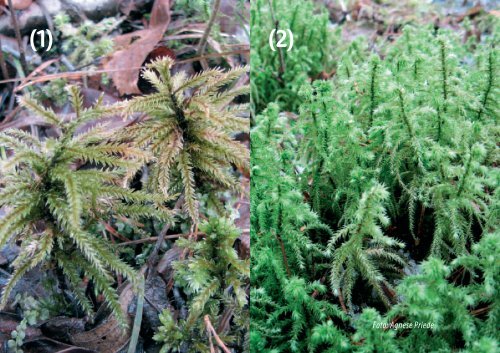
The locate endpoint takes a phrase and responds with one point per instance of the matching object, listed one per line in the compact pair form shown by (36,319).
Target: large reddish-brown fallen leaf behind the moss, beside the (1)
(134,48)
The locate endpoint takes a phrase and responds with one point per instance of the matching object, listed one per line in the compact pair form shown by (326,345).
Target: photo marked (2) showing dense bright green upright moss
(375,200)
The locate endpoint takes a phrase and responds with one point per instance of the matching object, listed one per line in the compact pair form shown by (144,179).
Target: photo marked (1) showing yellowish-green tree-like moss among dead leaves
(124,176)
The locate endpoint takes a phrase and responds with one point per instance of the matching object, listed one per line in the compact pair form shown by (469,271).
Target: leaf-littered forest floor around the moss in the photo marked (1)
(103,46)
